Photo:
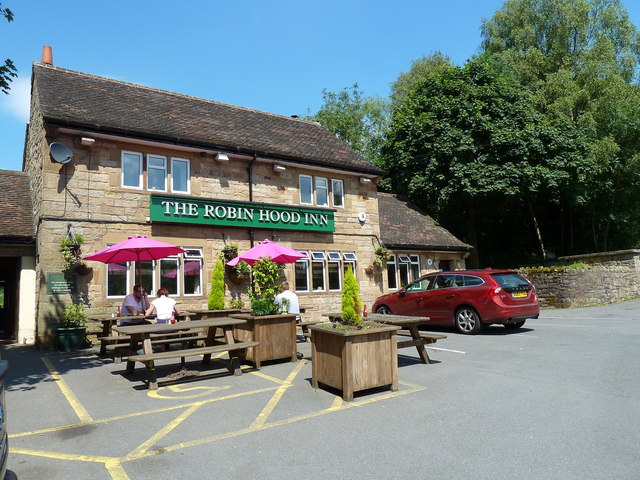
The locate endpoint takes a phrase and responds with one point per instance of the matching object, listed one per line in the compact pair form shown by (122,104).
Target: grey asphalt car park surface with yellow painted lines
(556,399)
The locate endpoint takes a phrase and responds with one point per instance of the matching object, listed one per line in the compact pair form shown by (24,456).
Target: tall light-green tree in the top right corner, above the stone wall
(580,58)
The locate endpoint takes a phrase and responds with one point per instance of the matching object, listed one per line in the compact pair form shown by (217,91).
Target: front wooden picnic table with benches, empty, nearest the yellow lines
(141,335)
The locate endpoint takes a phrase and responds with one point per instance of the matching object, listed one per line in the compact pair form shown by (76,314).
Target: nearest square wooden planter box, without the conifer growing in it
(354,360)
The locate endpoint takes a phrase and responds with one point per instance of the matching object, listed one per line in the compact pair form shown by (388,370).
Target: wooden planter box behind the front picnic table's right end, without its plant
(276,334)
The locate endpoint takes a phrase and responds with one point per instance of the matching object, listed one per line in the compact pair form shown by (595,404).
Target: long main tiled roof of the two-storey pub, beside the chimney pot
(111,106)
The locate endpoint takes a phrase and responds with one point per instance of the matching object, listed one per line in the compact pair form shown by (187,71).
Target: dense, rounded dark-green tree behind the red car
(468,140)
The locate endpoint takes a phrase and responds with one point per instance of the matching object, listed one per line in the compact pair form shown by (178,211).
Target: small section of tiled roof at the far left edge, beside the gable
(16,221)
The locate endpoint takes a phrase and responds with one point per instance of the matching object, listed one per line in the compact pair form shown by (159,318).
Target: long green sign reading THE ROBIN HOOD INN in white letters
(239,214)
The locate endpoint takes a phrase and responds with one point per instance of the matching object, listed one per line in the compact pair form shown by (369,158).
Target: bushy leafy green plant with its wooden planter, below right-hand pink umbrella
(276,332)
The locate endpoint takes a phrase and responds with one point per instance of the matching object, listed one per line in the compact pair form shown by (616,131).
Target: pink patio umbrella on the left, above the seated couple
(136,248)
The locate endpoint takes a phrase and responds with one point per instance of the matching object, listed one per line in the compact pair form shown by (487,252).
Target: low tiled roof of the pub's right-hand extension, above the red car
(403,226)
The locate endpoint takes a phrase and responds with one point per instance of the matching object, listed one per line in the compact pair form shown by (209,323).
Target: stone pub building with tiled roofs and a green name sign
(198,174)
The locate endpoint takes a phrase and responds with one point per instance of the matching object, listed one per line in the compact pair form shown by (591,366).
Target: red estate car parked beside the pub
(468,299)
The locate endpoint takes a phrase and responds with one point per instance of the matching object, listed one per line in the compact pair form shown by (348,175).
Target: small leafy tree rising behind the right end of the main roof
(358,121)
